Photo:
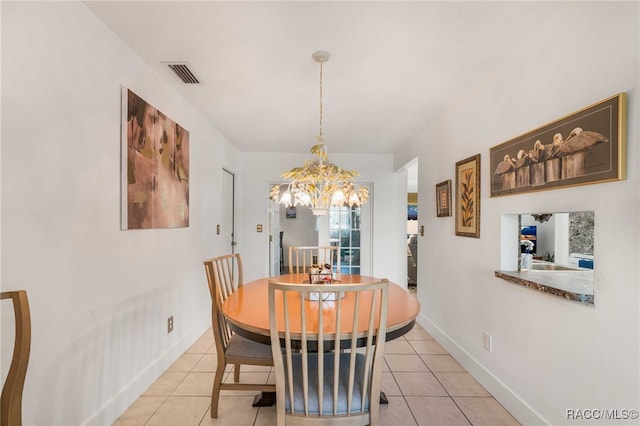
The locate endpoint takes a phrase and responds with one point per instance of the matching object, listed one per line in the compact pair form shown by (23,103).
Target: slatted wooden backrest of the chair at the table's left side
(224,276)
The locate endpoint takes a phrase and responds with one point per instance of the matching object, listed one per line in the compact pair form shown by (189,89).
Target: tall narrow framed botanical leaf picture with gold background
(468,197)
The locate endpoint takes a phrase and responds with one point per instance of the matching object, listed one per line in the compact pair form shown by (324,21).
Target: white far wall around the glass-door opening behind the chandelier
(388,200)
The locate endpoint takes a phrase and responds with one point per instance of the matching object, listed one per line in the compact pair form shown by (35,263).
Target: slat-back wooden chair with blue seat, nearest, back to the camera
(320,375)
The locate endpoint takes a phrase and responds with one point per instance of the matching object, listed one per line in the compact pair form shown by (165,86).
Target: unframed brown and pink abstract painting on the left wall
(154,167)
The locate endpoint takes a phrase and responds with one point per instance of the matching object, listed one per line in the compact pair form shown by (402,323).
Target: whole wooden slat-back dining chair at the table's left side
(224,275)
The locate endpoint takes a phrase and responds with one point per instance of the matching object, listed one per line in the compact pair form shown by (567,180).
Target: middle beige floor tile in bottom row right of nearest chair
(436,411)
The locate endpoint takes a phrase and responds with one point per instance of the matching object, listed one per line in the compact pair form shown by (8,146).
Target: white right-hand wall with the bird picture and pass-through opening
(549,354)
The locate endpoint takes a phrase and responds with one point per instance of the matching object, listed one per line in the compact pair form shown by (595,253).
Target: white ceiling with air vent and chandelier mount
(393,64)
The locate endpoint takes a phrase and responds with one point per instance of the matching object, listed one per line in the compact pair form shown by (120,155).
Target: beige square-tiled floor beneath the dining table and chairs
(424,385)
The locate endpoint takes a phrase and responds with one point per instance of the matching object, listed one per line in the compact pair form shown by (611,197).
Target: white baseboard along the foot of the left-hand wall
(112,409)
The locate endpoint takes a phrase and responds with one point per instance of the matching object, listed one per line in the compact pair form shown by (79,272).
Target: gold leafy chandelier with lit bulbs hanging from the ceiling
(318,183)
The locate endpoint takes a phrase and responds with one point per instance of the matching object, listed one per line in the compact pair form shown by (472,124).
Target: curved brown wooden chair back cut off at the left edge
(11,401)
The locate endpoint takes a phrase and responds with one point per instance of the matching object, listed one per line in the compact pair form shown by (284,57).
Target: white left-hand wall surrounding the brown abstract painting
(100,297)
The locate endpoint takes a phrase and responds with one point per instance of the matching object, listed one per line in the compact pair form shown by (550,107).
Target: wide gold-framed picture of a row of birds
(584,147)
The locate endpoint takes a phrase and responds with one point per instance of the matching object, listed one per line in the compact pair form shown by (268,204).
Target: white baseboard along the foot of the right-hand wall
(522,411)
